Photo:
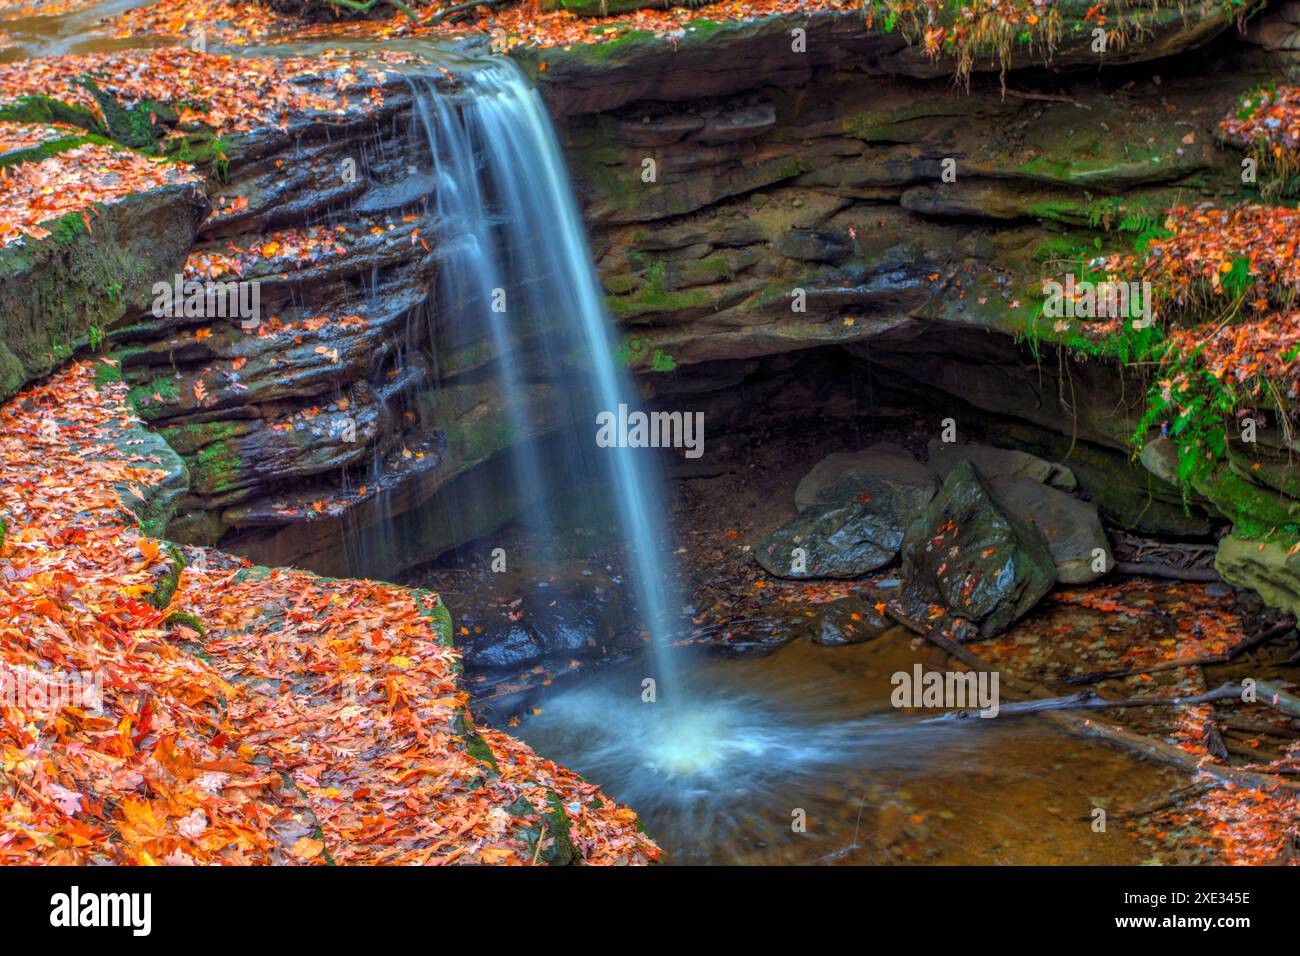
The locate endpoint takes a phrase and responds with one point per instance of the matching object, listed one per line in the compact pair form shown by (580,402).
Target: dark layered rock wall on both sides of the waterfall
(795,204)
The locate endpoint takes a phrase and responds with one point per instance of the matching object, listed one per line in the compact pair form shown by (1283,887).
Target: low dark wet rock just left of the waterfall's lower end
(534,617)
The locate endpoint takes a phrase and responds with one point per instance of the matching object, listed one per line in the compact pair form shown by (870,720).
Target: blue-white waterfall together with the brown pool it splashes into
(713,773)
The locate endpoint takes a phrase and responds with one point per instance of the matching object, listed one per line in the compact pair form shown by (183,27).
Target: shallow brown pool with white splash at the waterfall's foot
(808,734)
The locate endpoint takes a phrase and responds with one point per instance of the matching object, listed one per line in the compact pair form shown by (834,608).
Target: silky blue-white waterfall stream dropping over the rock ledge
(515,262)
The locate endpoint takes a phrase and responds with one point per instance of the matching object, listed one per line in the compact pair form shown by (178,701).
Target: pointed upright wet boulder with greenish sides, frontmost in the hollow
(969,559)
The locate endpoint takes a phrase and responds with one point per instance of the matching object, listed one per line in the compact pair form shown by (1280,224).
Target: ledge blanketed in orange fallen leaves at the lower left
(250,715)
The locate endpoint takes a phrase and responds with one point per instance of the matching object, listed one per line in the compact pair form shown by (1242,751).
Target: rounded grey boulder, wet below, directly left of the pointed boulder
(853,514)
